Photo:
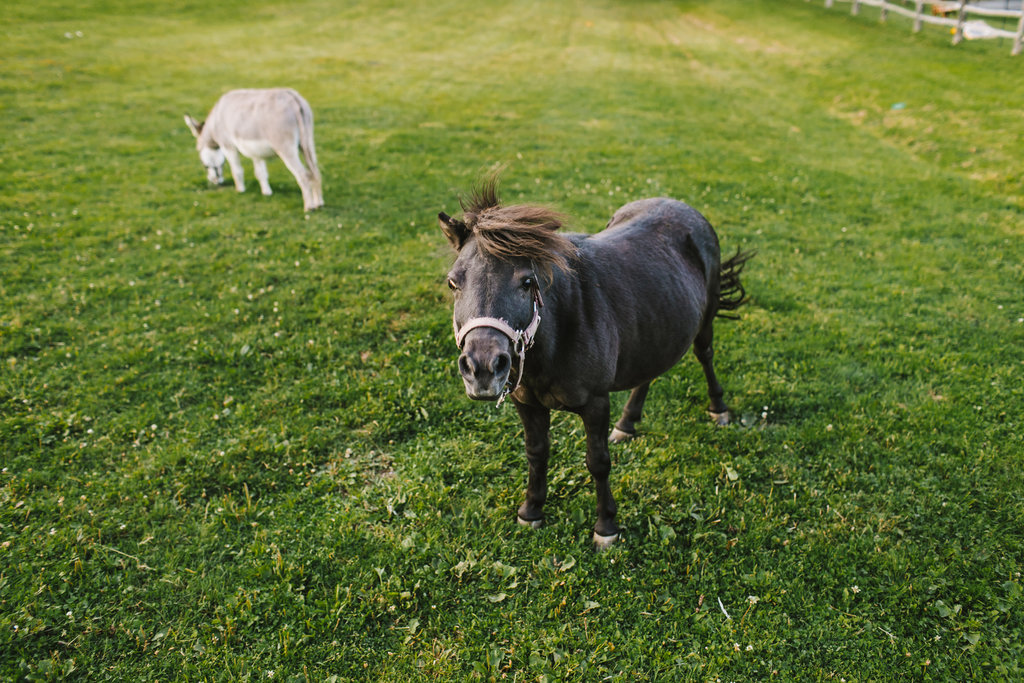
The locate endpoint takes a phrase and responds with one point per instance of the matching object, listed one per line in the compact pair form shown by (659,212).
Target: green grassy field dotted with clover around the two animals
(234,441)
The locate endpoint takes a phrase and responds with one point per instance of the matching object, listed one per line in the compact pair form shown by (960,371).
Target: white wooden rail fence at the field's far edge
(938,15)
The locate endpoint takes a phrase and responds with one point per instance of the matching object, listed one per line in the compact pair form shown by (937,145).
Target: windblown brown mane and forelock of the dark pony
(522,231)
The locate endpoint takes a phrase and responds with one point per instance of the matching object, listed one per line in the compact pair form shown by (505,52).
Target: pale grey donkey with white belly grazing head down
(261,124)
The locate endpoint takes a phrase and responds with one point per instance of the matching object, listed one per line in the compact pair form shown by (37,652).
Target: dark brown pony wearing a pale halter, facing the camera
(560,321)
